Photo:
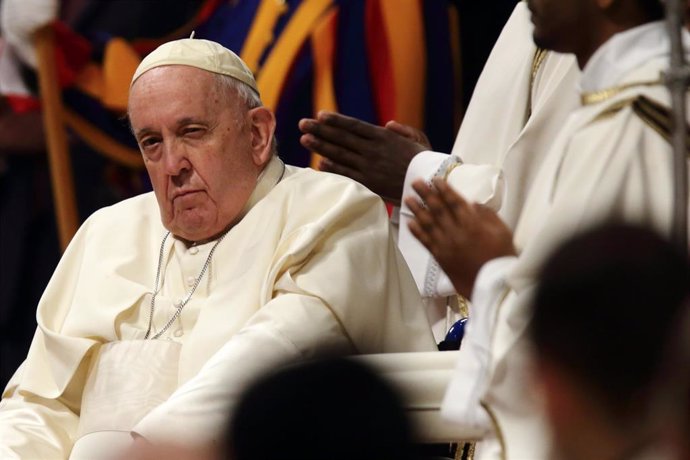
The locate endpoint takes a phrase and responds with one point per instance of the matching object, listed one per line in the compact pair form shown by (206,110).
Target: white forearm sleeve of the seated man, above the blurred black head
(281,332)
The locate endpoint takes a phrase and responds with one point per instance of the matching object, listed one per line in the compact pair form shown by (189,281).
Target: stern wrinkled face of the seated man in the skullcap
(198,146)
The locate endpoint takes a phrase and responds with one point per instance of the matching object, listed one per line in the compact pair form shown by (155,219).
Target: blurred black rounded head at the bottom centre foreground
(335,409)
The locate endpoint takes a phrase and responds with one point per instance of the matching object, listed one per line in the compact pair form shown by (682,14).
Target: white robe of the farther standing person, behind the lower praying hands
(519,104)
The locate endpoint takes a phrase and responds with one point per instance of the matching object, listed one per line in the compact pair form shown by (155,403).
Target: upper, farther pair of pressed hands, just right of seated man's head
(374,156)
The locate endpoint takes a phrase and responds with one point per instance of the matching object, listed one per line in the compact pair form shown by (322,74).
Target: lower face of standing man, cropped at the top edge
(559,25)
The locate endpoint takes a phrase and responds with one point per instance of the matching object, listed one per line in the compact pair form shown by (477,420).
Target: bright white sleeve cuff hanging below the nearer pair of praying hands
(462,402)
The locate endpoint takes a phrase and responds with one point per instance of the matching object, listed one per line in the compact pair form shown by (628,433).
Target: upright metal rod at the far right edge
(677,78)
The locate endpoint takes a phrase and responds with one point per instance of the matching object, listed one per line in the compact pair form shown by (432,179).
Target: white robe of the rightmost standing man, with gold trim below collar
(612,161)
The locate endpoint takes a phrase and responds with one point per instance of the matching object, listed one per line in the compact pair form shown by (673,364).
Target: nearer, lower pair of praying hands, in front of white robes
(460,235)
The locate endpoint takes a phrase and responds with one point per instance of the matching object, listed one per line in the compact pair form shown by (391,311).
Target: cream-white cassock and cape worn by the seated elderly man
(311,268)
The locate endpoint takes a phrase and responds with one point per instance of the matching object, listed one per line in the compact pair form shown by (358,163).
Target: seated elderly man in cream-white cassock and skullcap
(165,305)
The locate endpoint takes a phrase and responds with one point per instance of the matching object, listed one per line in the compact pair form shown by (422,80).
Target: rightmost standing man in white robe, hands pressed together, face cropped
(611,160)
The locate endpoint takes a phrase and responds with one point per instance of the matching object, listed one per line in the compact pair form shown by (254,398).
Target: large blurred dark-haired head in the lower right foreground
(606,304)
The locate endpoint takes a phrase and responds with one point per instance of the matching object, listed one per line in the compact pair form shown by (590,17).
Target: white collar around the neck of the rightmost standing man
(626,51)
